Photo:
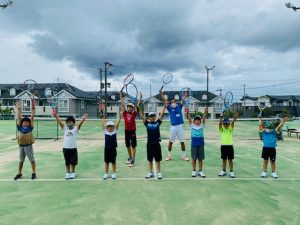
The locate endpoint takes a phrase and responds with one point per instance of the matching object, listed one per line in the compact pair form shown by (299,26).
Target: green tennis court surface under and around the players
(131,199)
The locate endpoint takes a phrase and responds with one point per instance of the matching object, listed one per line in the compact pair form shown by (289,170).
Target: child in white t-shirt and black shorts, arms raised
(70,143)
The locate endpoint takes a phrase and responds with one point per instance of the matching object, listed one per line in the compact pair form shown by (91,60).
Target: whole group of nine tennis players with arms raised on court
(152,124)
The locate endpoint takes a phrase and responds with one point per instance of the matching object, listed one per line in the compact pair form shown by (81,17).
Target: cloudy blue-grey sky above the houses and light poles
(253,44)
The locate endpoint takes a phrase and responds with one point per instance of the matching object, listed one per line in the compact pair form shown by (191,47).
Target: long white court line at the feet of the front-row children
(144,179)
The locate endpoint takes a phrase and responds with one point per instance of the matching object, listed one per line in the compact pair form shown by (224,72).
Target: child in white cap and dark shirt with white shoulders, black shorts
(110,149)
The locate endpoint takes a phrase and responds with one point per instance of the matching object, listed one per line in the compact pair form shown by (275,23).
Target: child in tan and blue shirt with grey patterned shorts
(25,140)
